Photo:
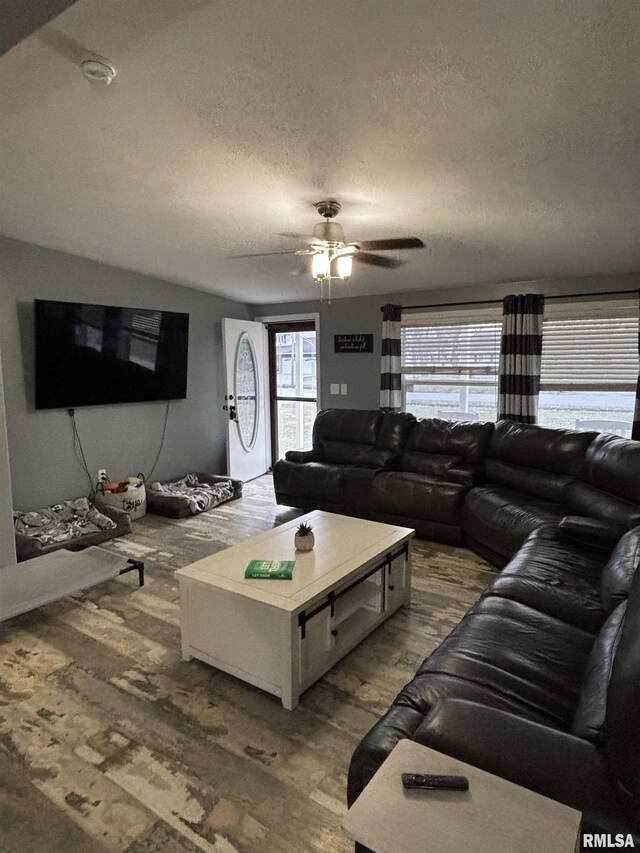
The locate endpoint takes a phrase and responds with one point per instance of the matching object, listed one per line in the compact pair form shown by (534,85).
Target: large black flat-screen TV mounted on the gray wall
(93,355)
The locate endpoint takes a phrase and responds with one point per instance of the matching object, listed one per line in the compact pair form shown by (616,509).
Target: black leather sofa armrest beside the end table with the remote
(553,763)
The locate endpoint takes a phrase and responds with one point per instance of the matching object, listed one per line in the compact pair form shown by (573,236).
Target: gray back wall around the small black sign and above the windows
(361,372)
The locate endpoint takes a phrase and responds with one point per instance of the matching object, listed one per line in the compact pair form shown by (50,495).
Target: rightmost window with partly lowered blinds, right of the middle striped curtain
(589,365)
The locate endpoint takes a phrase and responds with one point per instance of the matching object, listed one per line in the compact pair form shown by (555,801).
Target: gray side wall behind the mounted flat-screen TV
(124,439)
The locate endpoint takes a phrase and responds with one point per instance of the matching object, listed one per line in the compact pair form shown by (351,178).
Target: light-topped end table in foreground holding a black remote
(493,816)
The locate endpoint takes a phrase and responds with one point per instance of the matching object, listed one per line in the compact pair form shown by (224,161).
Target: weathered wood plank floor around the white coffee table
(110,742)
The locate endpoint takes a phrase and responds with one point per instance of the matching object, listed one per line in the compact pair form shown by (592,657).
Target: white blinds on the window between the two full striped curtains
(452,346)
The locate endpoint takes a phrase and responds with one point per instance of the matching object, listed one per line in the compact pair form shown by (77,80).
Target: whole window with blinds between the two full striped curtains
(450,363)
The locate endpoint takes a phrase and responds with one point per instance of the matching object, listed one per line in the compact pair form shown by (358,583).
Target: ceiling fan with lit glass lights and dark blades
(332,257)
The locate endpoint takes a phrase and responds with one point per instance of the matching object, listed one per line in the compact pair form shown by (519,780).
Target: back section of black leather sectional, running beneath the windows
(489,485)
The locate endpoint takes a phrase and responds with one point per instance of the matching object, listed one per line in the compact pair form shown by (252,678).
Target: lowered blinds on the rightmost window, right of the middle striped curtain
(590,346)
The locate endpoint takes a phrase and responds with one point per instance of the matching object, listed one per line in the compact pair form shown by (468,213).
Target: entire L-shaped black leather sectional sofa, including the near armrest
(540,681)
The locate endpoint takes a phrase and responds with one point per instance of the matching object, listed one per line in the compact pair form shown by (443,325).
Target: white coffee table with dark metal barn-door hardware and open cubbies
(282,636)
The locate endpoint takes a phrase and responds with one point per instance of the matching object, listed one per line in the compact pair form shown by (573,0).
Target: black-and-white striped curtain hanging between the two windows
(520,356)
